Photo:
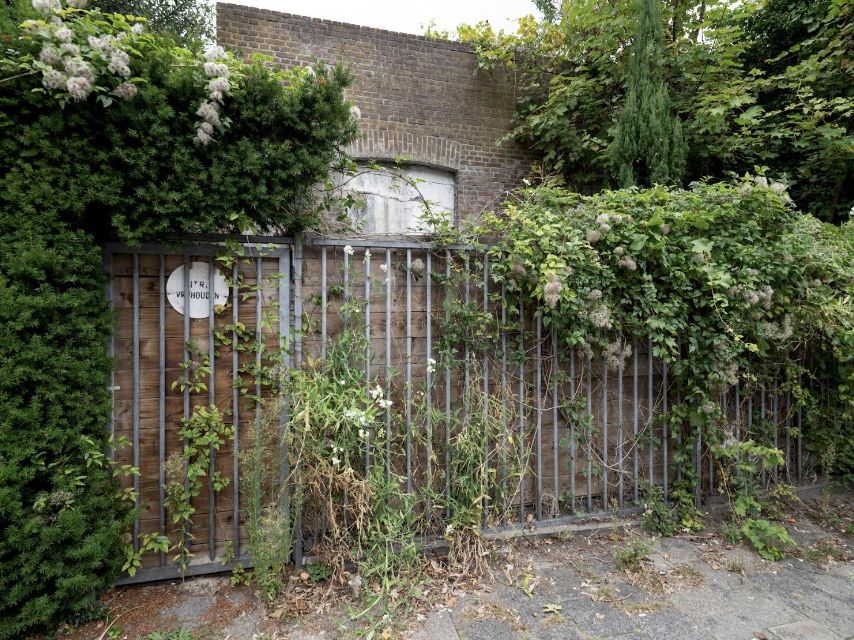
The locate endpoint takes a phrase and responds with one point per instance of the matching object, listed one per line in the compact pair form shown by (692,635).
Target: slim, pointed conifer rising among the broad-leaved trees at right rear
(648,147)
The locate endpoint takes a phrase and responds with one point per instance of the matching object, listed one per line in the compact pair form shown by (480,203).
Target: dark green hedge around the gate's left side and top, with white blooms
(109,132)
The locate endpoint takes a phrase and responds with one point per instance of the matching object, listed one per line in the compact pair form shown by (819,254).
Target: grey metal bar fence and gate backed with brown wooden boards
(589,434)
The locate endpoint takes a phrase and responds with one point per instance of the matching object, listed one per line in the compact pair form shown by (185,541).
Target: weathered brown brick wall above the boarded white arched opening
(419,98)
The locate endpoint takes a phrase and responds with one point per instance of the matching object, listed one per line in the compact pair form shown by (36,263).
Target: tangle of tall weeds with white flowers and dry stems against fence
(331,475)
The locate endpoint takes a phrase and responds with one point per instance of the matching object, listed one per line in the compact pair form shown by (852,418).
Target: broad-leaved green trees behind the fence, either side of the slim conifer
(754,84)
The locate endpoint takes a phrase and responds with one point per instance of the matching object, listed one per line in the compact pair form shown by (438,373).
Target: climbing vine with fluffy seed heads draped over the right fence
(728,283)
